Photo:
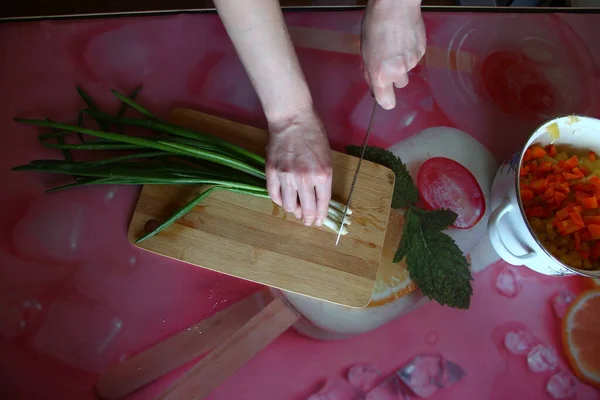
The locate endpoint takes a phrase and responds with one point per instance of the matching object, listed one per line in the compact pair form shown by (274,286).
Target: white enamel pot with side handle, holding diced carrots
(509,231)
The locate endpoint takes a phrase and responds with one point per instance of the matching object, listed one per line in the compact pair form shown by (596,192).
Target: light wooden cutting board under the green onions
(254,239)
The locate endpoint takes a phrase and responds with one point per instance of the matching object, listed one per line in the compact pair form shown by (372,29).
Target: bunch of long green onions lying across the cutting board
(166,154)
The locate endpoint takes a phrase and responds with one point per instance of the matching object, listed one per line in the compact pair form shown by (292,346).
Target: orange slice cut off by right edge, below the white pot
(581,336)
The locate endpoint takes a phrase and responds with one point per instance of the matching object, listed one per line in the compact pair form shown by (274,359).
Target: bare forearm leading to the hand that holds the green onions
(259,34)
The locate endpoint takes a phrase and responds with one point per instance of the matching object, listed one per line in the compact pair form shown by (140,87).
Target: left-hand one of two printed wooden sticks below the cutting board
(178,349)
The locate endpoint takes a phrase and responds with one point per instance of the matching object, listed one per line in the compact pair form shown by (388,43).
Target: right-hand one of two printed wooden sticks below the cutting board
(233,352)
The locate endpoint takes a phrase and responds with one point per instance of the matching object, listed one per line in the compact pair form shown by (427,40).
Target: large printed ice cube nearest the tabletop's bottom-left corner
(78,332)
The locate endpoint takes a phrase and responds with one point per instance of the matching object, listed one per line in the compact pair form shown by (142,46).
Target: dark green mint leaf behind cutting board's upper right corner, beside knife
(405,190)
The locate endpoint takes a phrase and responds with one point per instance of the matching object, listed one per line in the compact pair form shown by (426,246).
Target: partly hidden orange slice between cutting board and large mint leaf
(393,280)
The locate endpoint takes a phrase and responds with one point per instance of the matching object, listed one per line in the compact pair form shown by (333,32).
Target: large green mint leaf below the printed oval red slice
(435,263)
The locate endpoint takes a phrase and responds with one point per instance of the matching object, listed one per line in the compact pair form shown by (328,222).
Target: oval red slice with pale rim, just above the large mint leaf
(444,183)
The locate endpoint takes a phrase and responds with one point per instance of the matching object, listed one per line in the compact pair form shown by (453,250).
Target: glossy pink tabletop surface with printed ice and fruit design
(76,297)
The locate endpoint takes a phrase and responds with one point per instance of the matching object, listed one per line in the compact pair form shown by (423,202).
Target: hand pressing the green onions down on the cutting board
(299,166)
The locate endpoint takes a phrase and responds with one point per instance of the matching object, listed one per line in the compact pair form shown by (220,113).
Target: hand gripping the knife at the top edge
(392,43)
